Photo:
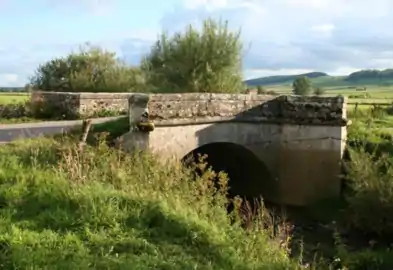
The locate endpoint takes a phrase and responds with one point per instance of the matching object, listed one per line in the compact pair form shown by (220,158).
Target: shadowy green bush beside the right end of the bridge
(370,201)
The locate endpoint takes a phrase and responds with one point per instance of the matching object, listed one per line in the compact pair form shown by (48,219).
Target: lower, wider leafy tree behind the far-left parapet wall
(92,69)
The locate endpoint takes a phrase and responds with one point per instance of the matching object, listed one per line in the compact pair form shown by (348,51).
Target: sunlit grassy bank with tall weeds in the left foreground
(103,209)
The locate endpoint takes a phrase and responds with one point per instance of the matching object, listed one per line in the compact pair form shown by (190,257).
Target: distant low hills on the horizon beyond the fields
(361,77)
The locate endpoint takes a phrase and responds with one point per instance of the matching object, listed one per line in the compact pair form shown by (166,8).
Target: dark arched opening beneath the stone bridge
(248,176)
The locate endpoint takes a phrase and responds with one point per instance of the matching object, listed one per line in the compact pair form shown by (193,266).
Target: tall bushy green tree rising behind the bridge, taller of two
(196,61)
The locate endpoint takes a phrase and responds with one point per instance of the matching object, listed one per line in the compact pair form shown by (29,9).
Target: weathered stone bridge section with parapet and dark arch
(287,149)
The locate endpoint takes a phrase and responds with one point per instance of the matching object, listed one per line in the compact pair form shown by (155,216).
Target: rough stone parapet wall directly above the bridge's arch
(199,107)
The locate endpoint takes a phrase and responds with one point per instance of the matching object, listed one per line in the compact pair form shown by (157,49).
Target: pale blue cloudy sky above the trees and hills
(279,36)
